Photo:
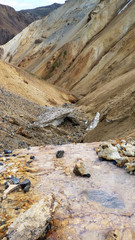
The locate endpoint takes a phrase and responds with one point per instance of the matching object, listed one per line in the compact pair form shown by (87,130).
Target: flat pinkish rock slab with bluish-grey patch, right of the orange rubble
(88,208)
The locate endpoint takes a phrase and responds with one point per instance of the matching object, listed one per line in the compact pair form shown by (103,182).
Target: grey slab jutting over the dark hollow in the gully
(53,116)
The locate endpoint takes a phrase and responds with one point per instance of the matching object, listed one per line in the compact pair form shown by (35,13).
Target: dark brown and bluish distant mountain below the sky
(12,22)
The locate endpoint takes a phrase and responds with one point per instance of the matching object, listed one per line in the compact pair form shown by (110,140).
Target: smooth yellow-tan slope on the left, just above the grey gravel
(30,88)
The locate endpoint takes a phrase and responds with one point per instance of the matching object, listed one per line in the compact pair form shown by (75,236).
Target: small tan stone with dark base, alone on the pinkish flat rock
(81,170)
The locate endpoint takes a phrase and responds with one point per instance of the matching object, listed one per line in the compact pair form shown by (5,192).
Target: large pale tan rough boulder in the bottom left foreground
(34,222)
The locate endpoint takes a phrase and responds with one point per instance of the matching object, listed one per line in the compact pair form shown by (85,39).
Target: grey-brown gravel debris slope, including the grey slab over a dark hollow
(21,123)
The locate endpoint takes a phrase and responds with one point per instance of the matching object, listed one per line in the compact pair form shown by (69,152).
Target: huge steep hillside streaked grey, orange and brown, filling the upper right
(88,48)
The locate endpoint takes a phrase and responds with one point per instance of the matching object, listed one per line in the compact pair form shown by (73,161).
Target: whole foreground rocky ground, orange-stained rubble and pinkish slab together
(99,207)
